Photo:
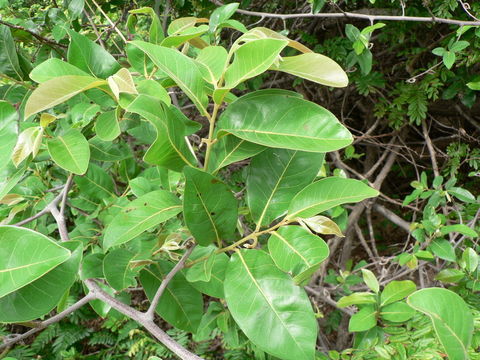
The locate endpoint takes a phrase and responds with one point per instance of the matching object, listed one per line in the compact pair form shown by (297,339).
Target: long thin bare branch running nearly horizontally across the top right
(371,18)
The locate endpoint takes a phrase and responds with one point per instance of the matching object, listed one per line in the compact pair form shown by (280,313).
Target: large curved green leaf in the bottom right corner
(451,318)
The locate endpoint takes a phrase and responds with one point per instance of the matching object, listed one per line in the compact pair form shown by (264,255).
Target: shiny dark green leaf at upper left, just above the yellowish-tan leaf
(90,57)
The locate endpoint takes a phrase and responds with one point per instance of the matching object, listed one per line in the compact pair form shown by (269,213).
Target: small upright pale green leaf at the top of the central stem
(211,62)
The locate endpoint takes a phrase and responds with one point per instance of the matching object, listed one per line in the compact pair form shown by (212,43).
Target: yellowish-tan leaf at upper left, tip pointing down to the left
(58,90)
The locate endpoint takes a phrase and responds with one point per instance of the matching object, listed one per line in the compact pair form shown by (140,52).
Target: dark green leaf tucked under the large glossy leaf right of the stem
(230,149)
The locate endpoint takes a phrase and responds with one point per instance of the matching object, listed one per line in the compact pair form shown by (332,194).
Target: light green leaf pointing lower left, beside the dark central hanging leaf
(140,215)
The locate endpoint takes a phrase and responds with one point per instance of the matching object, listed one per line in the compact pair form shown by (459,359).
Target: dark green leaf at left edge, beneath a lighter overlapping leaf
(42,295)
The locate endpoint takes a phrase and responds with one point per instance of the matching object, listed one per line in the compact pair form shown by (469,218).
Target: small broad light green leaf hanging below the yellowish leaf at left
(70,151)
